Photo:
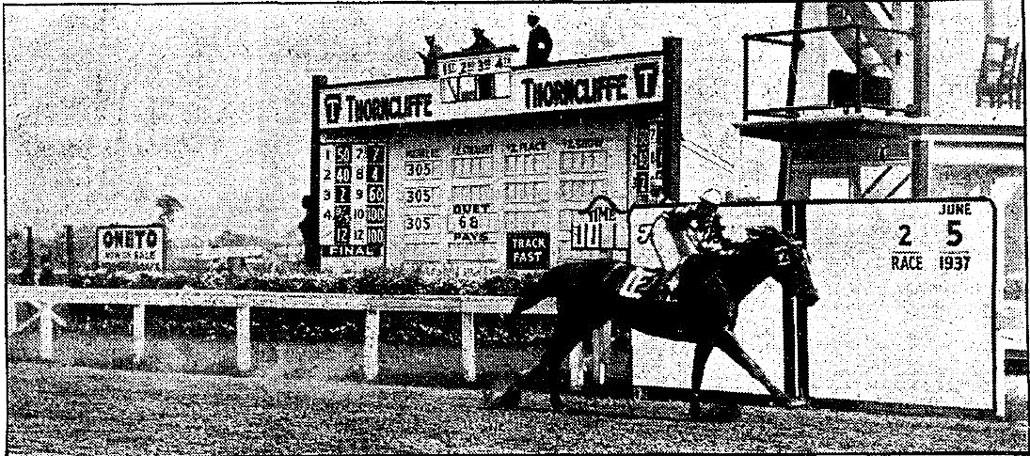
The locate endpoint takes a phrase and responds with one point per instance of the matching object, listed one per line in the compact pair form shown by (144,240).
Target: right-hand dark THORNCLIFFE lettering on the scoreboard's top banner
(567,92)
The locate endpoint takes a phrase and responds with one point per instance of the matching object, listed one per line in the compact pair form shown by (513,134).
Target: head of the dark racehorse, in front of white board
(789,263)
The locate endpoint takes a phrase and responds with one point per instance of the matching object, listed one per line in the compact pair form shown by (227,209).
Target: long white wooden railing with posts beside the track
(45,298)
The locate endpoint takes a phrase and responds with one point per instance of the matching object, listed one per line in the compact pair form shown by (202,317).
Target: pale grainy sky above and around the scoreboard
(110,108)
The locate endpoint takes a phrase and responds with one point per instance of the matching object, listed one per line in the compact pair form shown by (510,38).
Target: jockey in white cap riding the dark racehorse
(698,235)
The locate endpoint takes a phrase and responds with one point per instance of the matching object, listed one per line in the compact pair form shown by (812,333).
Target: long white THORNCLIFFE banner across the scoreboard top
(594,83)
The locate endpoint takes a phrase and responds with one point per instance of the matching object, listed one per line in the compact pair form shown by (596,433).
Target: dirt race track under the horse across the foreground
(64,410)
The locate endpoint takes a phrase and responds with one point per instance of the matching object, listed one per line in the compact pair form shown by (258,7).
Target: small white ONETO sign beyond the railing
(136,247)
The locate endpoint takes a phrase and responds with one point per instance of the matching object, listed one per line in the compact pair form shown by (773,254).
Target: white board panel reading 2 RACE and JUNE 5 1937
(908,302)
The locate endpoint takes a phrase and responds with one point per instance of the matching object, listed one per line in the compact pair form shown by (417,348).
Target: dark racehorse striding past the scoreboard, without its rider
(593,293)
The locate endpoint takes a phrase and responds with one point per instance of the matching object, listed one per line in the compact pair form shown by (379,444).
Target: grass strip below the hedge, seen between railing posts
(400,365)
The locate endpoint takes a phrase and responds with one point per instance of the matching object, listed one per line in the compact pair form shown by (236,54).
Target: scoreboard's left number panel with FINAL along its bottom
(354,200)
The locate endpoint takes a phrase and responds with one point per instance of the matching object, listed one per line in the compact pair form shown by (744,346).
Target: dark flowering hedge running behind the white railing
(316,326)
